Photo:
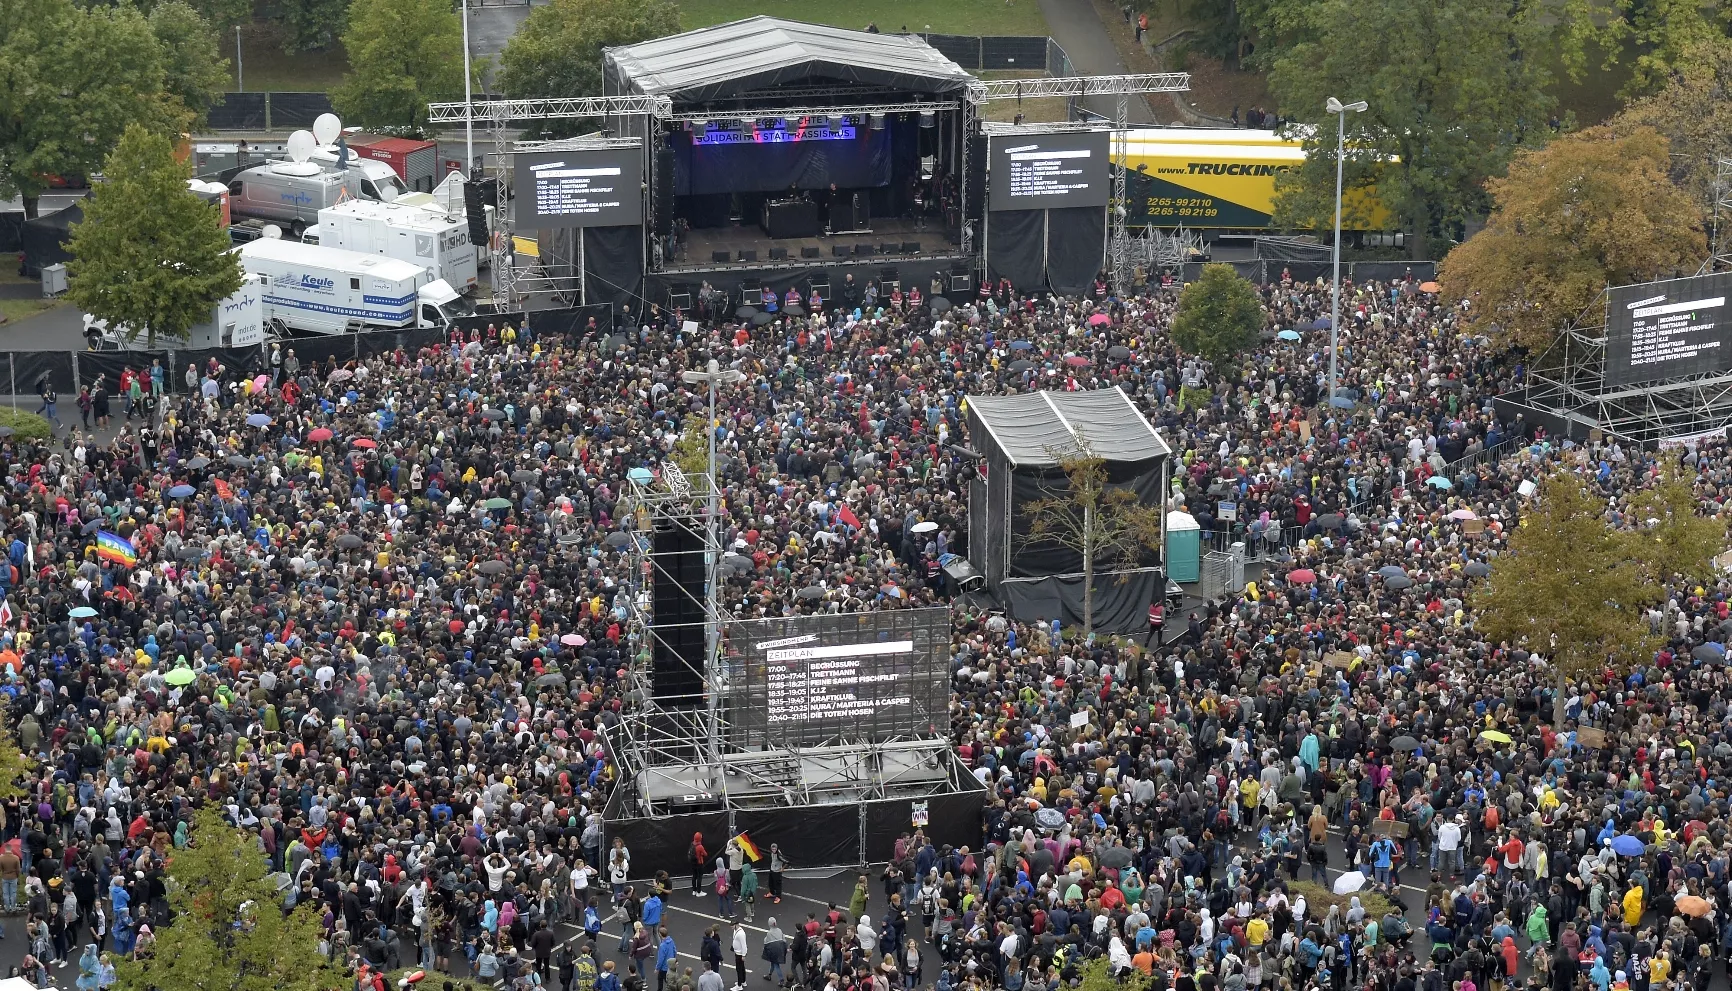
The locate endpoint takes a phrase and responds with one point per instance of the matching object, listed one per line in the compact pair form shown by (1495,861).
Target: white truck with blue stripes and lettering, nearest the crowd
(316,290)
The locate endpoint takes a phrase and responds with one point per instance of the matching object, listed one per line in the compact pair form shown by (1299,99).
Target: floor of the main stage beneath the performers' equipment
(702,247)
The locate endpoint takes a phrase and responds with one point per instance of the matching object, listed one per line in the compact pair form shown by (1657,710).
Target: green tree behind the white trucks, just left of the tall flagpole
(403,56)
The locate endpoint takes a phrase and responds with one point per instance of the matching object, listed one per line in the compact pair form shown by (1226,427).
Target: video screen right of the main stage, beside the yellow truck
(1049,171)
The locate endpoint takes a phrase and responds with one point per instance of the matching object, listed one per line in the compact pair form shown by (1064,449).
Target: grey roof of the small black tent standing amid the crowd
(1033,429)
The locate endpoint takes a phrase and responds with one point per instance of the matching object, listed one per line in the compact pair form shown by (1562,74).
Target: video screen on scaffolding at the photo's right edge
(1669,330)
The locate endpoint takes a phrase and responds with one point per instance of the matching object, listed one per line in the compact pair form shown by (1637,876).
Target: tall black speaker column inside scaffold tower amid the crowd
(678,612)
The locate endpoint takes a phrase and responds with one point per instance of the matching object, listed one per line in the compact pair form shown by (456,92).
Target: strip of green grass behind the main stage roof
(893,16)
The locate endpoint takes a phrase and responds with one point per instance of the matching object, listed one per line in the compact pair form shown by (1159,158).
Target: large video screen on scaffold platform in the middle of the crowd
(837,678)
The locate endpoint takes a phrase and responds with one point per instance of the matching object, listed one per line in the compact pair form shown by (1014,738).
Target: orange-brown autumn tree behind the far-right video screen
(1586,212)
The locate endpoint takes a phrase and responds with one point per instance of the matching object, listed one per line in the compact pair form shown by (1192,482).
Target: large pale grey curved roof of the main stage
(763,53)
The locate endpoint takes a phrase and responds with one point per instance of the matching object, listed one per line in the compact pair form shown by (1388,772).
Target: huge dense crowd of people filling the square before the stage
(380,614)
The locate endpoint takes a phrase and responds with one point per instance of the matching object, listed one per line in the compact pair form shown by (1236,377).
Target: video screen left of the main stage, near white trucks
(593,188)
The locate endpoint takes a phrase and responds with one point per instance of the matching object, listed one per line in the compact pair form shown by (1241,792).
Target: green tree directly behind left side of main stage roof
(557,53)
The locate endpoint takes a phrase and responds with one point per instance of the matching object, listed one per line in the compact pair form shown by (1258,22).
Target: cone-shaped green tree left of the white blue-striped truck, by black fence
(150,257)
